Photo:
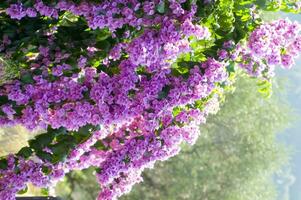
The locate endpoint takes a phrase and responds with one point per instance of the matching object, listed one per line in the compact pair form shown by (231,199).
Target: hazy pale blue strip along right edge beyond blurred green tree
(290,184)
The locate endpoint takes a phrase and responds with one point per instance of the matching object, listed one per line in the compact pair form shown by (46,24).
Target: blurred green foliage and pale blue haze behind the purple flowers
(250,150)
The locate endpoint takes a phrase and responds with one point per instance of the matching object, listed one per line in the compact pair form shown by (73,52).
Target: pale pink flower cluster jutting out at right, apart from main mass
(276,43)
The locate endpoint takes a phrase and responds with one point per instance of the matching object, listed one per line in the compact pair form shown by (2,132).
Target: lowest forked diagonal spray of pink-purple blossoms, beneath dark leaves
(126,153)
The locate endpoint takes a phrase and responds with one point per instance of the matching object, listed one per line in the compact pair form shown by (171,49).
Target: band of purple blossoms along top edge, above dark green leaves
(108,14)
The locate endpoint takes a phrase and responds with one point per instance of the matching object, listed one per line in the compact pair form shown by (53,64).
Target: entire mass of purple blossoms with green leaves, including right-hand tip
(118,85)
